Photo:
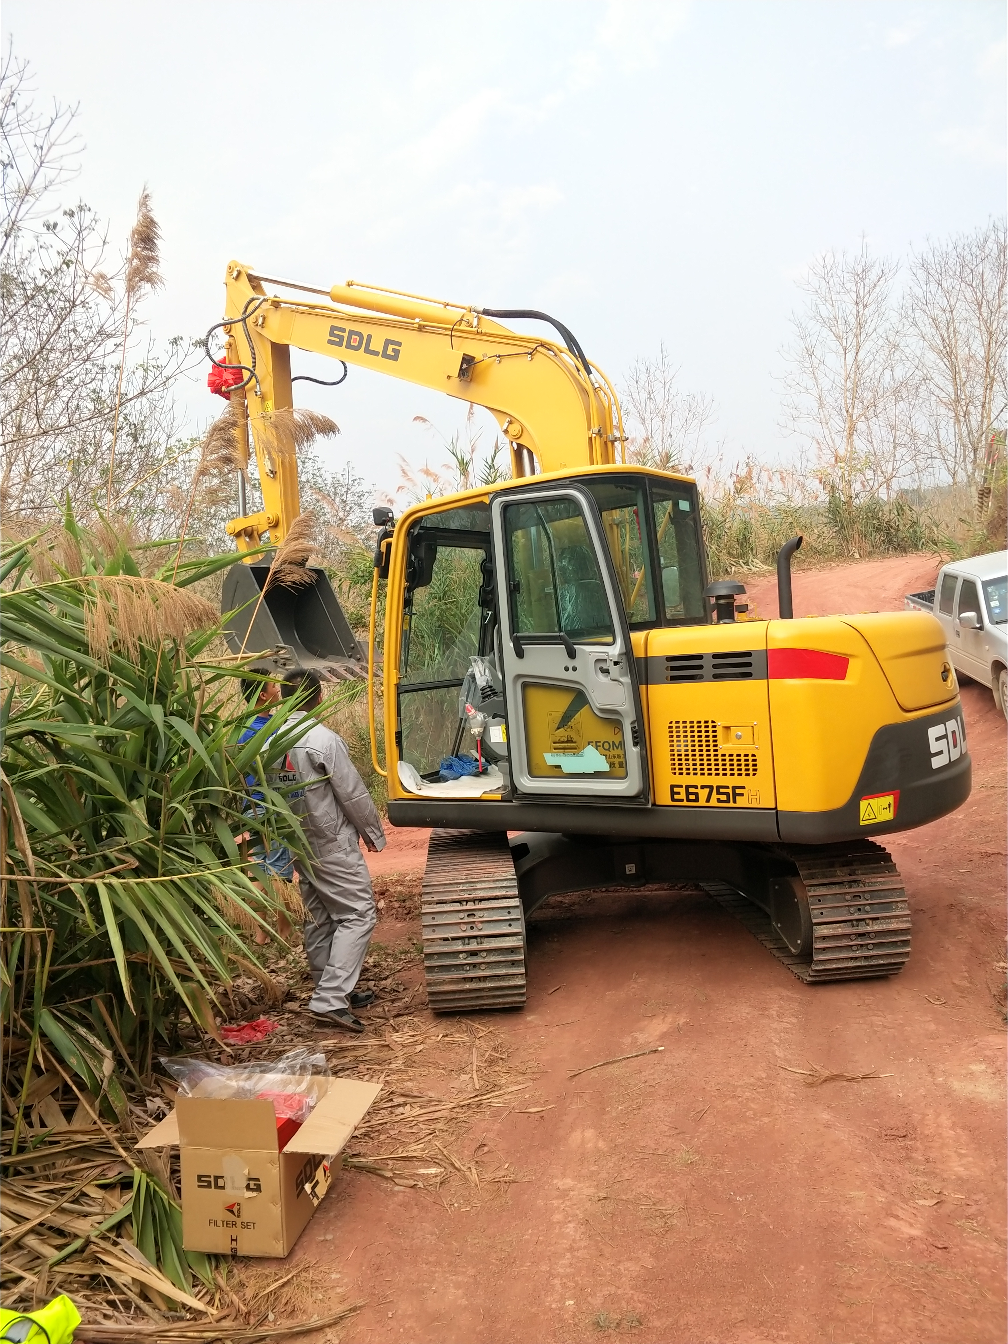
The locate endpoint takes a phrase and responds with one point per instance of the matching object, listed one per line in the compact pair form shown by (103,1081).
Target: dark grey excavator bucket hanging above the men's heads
(290,630)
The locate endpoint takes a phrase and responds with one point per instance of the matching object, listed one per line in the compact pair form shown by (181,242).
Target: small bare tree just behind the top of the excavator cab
(669,424)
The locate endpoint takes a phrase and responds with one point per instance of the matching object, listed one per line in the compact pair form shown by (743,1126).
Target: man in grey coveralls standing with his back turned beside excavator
(337,812)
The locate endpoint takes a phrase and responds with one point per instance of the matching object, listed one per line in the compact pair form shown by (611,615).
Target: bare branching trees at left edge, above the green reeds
(65,327)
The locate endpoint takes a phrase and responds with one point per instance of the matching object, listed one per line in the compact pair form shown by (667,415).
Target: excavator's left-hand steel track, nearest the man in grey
(474,924)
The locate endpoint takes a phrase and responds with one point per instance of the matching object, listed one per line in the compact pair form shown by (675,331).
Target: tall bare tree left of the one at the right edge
(850,386)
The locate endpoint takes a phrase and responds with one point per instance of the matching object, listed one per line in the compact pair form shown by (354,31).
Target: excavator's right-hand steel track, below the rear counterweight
(861,919)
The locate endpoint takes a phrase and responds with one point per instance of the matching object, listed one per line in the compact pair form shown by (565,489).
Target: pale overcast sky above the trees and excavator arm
(646,173)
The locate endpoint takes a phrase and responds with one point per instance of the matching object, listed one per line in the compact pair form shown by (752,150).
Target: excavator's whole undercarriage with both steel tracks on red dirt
(826,912)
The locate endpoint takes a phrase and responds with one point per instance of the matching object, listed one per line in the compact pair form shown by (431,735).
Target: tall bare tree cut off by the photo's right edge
(959,310)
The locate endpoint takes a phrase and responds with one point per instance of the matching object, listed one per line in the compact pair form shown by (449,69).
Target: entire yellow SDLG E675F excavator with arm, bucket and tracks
(568,697)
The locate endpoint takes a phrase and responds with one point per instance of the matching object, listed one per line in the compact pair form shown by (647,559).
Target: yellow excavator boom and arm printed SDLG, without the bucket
(556,409)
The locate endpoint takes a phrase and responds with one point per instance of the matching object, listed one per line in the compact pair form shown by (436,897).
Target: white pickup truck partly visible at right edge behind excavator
(971,600)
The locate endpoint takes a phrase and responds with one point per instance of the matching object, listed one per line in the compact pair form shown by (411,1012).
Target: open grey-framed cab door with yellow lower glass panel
(575,721)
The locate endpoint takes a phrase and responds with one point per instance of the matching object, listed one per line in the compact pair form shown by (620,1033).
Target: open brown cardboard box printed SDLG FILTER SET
(241,1195)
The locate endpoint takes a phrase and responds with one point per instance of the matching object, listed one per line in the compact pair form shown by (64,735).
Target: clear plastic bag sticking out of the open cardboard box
(292,1083)
